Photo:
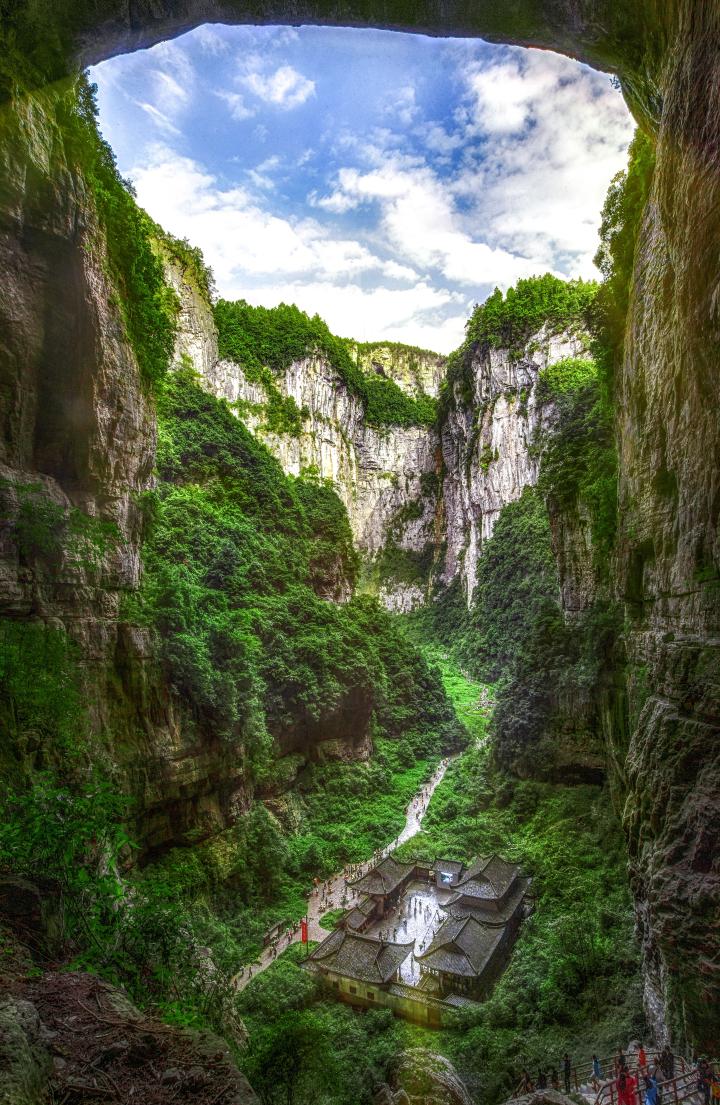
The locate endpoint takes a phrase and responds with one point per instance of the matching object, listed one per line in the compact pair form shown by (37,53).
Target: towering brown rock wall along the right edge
(669,565)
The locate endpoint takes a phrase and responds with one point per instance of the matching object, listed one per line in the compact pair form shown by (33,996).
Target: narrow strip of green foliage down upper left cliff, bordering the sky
(149,307)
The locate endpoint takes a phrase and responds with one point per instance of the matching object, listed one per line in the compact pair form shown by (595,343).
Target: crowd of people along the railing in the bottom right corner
(637,1082)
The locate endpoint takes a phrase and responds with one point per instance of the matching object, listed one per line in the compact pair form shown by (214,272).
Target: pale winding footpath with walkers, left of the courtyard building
(334,893)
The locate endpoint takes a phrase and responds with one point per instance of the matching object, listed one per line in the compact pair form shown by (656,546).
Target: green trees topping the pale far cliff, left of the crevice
(266,342)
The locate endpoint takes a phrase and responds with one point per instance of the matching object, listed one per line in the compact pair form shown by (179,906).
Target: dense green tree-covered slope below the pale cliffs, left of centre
(236,556)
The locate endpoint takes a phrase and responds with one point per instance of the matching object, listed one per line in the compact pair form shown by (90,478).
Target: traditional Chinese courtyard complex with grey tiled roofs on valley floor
(482,906)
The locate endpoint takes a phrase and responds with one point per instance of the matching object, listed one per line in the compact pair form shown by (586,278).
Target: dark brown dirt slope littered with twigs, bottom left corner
(68,1038)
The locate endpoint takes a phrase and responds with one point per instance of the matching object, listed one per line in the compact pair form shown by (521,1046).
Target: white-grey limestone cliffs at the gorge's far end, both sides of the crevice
(389,479)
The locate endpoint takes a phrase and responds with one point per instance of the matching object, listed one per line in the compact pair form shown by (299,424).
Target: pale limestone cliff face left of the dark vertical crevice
(387,478)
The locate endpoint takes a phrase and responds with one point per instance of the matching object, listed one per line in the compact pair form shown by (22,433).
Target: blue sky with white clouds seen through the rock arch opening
(385,182)
